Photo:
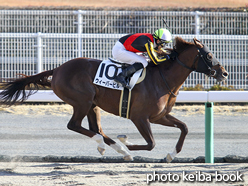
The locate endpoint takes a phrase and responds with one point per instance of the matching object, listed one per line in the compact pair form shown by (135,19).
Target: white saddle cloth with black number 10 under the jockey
(107,71)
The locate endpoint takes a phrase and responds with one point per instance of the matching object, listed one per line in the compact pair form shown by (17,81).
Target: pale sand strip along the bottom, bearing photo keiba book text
(106,174)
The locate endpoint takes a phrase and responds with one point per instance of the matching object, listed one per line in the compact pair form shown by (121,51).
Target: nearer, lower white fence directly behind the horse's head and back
(27,53)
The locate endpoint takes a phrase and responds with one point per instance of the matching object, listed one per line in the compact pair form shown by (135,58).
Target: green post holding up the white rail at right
(209,133)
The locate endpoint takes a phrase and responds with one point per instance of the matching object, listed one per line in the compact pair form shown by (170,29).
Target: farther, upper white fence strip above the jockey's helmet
(91,21)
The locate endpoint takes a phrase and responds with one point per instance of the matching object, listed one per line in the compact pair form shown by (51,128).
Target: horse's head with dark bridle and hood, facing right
(208,64)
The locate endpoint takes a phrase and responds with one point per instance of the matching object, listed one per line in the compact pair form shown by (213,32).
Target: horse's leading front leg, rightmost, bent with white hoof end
(171,121)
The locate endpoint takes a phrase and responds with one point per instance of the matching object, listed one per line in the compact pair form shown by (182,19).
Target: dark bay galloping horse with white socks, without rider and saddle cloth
(151,102)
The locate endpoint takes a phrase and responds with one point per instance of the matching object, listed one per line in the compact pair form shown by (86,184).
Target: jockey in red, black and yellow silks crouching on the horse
(127,47)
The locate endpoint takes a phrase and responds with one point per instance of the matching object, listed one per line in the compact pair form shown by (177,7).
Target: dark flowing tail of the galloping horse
(13,90)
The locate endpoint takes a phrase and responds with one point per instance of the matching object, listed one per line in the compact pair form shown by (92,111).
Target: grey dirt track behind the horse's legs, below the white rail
(41,130)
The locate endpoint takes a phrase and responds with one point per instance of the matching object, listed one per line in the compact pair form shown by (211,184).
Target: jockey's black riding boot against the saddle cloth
(122,78)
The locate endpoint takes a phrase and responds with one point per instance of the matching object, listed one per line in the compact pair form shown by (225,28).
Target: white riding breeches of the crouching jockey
(120,53)
